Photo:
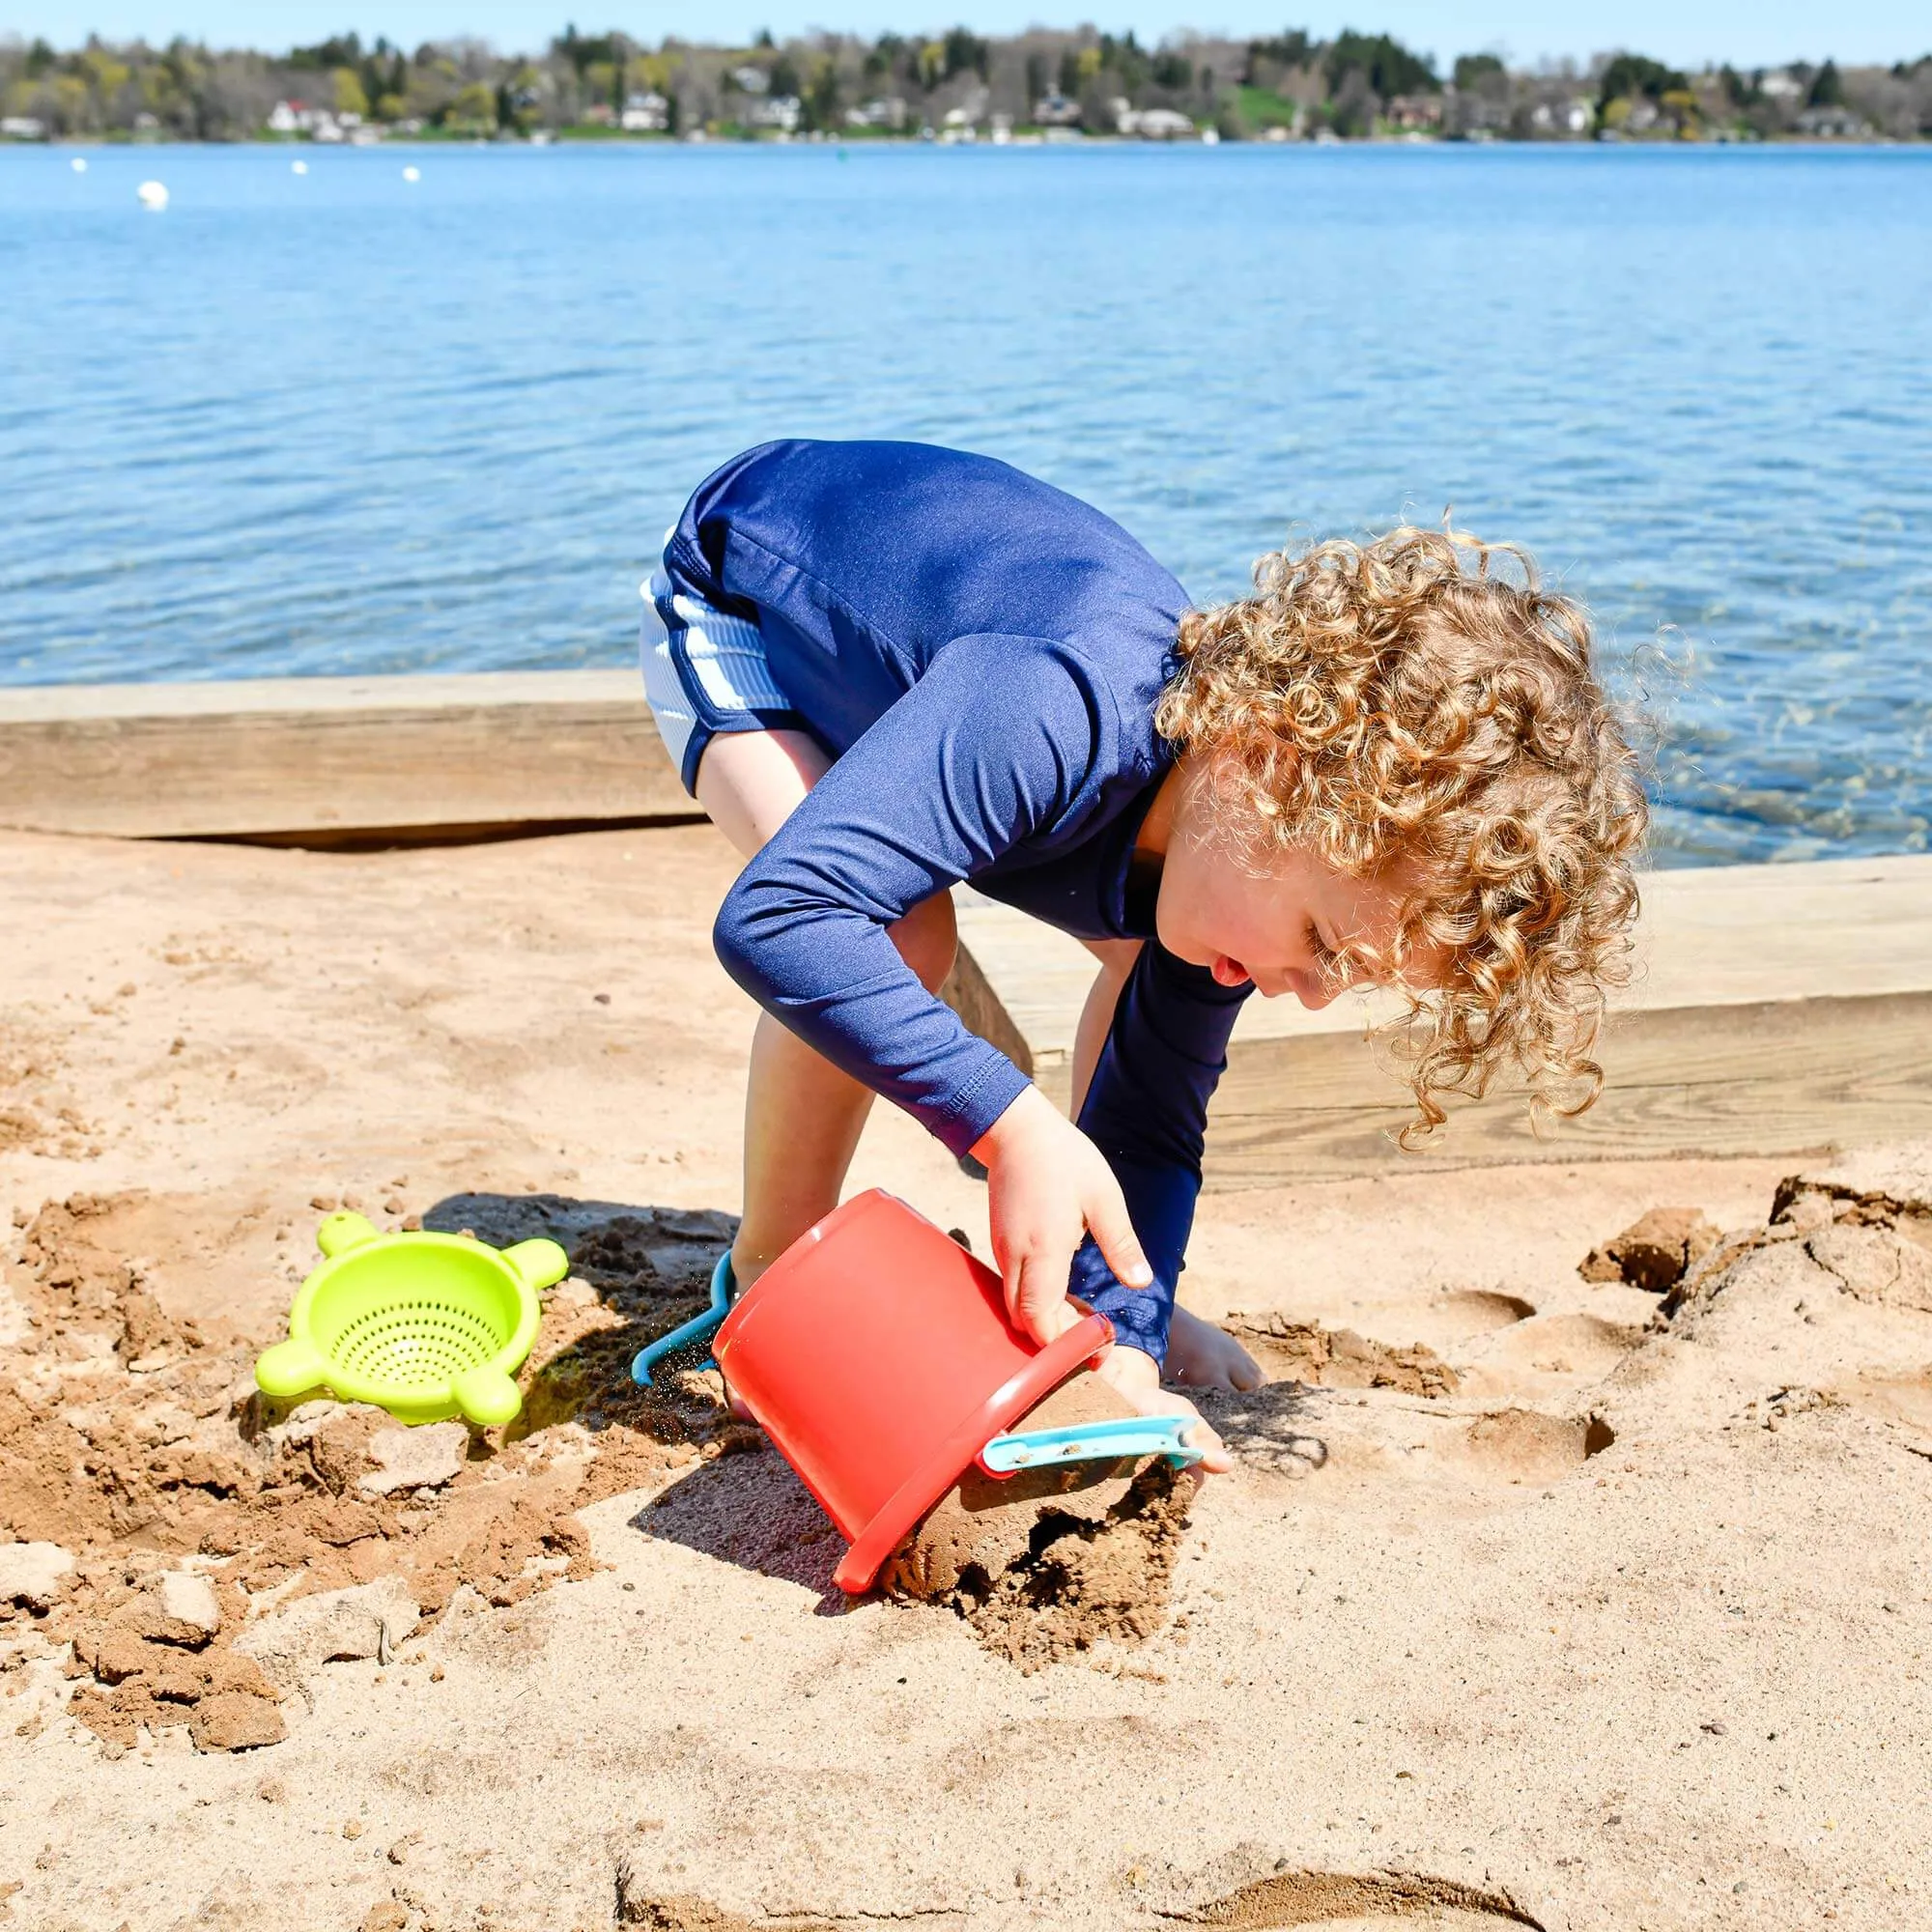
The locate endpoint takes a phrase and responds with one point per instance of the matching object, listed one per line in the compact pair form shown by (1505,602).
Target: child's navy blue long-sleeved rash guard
(980,654)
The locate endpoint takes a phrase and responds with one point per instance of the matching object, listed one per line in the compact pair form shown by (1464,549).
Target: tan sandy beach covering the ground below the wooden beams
(1537,1601)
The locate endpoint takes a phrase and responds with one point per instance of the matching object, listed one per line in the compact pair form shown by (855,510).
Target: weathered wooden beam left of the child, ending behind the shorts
(333,756)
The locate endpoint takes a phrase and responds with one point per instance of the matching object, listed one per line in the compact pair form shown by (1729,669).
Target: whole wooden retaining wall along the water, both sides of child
(1782,1009)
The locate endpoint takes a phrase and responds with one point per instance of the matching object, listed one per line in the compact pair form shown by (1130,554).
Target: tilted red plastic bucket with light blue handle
(878,1355)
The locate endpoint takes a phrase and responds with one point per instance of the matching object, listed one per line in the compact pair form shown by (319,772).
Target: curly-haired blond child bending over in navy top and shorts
(888,668)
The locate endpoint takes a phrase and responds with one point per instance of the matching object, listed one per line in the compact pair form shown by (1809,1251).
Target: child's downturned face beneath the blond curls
(1284,928)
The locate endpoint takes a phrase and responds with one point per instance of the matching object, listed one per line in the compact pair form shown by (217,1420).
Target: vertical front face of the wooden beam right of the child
(1784,1077)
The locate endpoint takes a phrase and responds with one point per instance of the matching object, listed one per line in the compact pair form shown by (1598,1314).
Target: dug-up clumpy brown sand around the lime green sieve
(140,1446)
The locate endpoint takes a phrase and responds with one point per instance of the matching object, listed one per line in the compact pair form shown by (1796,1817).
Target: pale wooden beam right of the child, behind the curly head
(1778,1009)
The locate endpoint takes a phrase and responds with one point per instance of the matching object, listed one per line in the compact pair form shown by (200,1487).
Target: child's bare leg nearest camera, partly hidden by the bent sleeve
(803,1116)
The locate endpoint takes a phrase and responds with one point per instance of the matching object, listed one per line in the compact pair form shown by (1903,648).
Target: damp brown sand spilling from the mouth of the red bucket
(1052,1562)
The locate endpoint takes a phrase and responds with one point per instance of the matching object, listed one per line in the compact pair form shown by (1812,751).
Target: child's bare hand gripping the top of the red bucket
(1048,1187)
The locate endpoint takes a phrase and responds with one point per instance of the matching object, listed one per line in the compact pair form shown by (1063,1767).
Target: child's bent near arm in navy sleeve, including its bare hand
(1000,739)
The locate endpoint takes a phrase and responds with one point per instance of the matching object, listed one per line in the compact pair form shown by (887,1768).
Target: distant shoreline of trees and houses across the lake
(955,88)
